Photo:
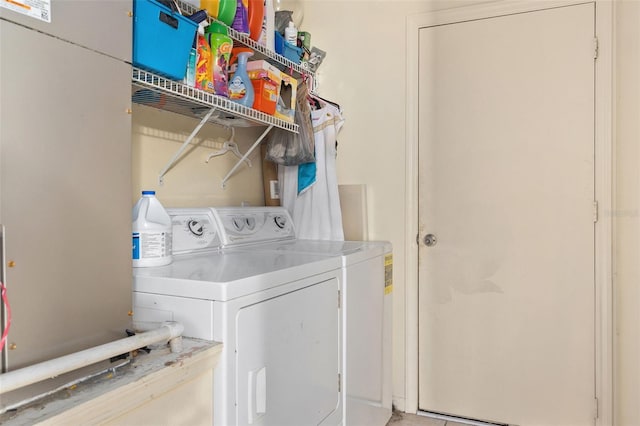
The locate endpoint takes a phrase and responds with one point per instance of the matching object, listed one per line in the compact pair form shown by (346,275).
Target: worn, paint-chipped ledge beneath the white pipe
(112,393)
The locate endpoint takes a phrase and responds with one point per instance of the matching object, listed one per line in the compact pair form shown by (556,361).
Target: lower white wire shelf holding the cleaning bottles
(161,93)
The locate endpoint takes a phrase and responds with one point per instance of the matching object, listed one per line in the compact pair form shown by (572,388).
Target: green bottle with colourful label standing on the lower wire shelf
(221,45)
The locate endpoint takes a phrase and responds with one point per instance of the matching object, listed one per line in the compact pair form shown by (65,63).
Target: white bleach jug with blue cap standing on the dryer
(151,232)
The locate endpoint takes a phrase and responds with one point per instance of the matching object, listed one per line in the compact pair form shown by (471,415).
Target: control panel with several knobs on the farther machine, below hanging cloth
(245,225)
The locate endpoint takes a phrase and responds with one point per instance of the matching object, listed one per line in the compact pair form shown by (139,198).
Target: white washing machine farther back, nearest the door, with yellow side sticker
(366,292)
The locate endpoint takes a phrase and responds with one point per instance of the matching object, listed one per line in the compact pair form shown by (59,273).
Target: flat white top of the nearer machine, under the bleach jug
(228,275)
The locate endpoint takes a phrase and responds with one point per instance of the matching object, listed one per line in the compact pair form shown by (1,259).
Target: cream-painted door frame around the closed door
(603,180)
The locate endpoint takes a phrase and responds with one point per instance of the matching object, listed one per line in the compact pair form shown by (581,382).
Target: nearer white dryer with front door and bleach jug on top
(278,315)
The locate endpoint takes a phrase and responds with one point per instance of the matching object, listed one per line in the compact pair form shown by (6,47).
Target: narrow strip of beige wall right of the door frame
(627,214)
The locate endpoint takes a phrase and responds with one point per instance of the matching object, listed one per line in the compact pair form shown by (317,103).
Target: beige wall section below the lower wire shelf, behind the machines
(157,136)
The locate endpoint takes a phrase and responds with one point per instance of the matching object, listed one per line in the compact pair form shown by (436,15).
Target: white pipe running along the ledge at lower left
(45,370)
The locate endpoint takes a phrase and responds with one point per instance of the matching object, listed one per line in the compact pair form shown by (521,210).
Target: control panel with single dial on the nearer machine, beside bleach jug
(194,230)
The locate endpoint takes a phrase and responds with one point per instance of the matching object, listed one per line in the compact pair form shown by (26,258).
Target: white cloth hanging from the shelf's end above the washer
(316,208)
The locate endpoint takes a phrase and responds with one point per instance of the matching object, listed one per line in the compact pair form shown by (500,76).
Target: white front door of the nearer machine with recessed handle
(288,358)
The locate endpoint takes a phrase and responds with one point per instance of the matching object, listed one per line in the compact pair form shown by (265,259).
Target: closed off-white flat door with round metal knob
(506,185)
